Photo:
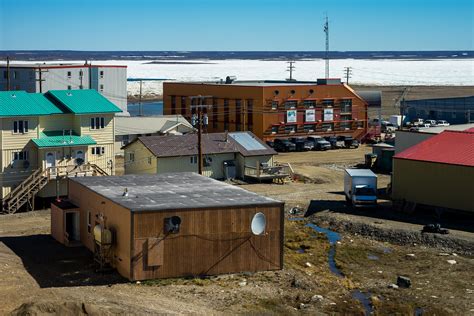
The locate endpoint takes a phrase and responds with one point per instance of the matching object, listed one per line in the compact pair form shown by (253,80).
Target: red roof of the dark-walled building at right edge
(449,147)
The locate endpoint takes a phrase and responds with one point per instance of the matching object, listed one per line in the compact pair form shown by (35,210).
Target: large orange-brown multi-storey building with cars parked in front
(273,109)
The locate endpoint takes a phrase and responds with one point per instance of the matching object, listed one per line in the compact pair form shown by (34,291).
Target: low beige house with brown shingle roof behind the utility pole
(225,155)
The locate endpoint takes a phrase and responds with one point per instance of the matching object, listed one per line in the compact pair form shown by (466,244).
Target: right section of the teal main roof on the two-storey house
(84,101)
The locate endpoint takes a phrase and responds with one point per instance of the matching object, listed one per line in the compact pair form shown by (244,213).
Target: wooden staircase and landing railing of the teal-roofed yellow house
(26,191)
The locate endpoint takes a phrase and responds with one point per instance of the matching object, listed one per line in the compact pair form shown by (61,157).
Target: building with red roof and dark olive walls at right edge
(437,172)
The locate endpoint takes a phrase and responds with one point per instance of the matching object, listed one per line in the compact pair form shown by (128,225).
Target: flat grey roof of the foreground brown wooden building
(171,191)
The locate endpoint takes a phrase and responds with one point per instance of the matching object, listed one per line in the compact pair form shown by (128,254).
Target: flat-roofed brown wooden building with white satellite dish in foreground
(176,224)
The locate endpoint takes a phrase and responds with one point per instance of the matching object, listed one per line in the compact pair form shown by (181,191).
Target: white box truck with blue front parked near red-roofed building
(360,187)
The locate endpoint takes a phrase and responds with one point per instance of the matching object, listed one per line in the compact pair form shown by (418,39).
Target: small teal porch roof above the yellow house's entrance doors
(58,139)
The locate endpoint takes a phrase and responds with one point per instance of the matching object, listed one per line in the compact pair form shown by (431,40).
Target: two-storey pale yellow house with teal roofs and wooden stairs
(51,136)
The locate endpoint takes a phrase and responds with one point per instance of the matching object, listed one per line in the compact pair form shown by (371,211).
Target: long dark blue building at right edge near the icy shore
(459,110)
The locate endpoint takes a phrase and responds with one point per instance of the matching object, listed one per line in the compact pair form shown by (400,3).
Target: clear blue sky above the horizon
(267,25)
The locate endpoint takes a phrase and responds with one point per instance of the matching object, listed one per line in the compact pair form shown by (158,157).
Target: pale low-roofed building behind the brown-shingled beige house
(129,128)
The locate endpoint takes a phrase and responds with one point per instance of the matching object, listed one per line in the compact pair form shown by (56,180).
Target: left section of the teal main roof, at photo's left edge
(21,103)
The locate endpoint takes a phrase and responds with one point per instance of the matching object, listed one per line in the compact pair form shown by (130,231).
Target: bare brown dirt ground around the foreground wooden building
(41,277)
